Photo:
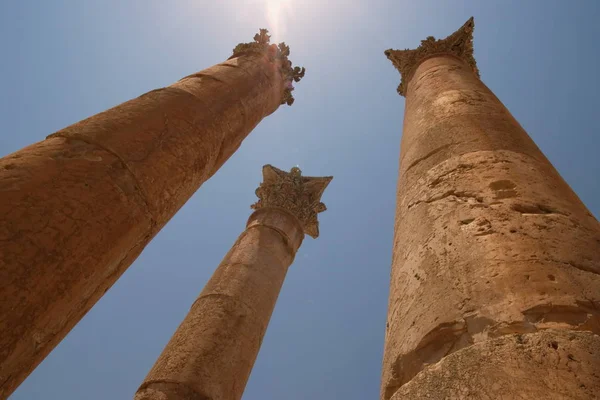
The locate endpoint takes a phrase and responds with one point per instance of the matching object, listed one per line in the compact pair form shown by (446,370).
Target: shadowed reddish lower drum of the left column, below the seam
(55,195)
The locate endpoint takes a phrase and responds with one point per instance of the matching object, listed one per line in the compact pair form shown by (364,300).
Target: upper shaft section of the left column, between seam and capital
(175,138)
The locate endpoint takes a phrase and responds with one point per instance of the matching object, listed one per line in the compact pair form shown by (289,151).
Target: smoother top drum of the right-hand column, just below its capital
(450,112)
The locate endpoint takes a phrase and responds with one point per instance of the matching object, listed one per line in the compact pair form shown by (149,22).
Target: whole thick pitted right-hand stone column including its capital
(495,286)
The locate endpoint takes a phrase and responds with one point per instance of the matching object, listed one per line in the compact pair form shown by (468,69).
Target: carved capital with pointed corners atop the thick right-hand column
(459,44)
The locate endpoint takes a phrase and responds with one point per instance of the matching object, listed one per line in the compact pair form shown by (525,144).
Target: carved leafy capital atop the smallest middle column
(297,194)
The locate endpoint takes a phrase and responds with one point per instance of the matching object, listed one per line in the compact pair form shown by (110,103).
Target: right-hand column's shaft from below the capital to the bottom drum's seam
(489,239)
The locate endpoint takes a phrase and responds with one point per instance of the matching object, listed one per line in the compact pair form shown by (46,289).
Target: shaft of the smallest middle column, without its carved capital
(213,350)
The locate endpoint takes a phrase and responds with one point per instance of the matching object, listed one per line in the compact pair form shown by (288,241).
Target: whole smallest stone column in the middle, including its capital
(211,354)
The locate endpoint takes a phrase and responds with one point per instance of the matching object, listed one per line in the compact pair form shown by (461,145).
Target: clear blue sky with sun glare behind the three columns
(65,60)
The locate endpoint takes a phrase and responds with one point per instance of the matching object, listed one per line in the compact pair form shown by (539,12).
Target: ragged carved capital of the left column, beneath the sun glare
(276,53)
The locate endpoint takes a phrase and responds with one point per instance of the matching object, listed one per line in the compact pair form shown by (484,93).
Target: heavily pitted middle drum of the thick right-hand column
(486,242)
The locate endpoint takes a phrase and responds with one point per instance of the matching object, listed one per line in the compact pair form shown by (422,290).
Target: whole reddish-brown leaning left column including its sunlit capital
(80,206)
